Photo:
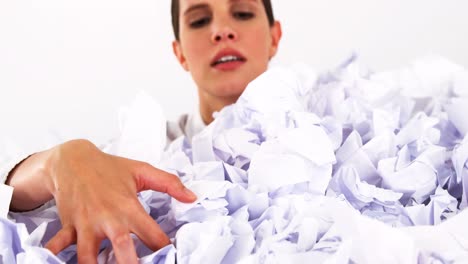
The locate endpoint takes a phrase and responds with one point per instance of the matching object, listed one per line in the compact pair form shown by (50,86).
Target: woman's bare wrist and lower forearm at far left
(31,181)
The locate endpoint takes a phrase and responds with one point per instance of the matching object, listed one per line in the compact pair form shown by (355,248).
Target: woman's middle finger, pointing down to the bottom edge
(122,243)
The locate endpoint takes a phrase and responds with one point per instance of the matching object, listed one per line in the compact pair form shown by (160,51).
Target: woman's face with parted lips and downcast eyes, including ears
(225,44)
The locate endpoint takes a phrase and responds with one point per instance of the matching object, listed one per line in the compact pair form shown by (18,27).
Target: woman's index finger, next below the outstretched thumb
(149,231)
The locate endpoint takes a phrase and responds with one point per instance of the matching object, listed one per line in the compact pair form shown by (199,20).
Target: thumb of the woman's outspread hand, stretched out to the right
(151,178)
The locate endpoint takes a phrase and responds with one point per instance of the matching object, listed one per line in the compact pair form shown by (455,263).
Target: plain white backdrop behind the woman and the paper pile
(67,66)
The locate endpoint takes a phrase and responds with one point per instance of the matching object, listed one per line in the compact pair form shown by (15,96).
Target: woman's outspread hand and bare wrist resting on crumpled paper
(96,198)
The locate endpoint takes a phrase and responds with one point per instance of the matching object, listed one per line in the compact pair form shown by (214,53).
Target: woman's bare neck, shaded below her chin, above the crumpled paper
(210,104)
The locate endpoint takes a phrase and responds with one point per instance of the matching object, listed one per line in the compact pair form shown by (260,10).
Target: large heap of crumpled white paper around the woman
(347,166)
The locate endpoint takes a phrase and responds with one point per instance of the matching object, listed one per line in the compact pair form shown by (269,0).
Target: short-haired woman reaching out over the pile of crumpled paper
(224,44)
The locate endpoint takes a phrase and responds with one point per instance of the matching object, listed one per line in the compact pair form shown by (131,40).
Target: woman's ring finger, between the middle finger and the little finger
(87,246)
